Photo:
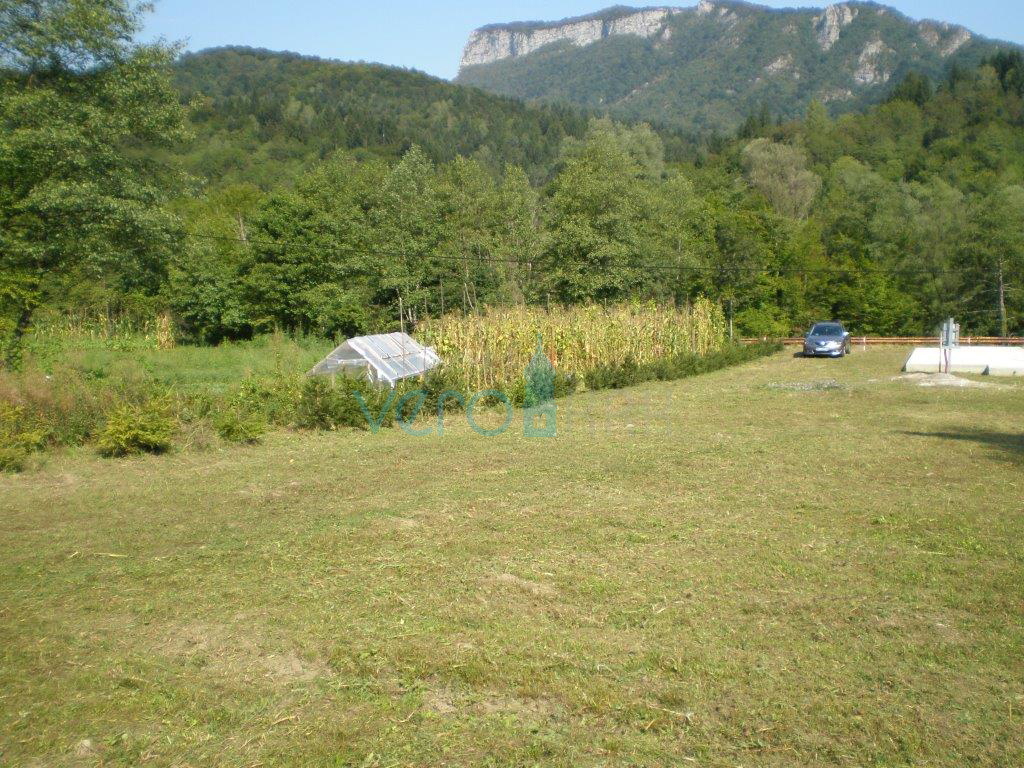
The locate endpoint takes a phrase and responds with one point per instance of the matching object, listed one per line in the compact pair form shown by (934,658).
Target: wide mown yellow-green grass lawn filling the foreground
(712,572)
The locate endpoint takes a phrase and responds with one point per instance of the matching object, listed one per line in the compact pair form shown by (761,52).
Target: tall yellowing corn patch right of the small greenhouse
(494,349)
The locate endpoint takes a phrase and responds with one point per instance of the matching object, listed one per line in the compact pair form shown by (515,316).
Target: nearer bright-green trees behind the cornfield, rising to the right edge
(890,221)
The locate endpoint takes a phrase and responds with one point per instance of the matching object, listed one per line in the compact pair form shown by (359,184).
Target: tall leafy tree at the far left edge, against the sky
(78,99)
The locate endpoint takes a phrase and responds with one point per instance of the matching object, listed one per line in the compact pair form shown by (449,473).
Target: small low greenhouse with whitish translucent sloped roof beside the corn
(383,359)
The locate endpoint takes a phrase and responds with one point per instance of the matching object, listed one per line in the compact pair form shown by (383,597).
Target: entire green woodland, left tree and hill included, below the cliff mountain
(243,211)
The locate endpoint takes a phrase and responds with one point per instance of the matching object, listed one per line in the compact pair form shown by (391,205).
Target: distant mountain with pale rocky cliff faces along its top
(706,67)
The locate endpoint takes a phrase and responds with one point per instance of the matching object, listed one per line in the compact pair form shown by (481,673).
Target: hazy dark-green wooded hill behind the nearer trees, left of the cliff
(264,117)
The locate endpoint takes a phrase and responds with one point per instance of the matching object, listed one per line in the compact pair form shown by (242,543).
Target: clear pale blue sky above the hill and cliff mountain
(430,35)
